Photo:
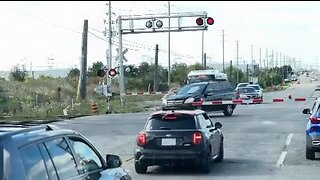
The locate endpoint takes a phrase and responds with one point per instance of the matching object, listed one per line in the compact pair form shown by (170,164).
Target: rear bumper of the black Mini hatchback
(167,157)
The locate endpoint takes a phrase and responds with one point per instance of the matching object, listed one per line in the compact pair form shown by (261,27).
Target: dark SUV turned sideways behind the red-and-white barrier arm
(202,94)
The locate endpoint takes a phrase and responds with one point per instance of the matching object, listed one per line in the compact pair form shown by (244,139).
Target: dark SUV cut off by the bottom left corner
(47,152)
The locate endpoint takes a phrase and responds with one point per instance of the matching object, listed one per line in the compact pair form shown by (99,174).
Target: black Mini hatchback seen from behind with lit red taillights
(179,137)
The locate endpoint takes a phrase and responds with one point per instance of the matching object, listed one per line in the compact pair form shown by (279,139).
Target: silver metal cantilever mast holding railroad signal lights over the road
(157,23)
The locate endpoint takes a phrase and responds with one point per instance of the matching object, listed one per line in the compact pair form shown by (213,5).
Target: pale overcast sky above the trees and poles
(47,34)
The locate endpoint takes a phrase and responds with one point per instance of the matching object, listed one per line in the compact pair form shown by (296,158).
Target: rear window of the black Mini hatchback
(181,122)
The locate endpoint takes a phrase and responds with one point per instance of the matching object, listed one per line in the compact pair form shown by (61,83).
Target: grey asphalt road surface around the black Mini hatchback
(265,141)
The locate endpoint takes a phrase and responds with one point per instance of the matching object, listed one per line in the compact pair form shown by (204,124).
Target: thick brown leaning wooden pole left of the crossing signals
(82,91)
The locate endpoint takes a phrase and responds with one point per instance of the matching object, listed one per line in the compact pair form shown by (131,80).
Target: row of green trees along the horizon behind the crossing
(141,77)
